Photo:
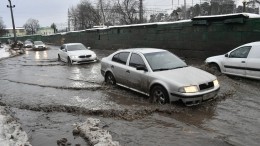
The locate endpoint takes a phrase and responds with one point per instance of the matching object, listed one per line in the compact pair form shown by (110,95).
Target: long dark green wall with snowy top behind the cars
(196,38)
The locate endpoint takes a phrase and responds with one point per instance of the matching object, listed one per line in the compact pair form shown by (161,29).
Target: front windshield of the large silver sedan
(164,60)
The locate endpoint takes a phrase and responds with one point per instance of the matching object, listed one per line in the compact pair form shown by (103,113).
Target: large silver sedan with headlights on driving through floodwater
(159,74)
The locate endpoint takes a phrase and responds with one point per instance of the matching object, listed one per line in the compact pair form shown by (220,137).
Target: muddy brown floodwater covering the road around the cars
(48,97)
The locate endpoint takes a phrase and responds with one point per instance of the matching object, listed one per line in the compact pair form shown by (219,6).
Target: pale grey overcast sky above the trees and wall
(55,11)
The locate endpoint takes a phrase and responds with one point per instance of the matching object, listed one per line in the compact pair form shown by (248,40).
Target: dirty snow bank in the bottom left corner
(10,131)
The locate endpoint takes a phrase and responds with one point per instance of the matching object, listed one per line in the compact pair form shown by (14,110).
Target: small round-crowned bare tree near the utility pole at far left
(31,26)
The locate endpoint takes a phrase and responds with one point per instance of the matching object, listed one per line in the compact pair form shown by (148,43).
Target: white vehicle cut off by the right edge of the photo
(242,61)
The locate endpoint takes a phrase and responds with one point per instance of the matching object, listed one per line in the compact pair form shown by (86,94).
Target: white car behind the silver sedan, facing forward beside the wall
(76,53)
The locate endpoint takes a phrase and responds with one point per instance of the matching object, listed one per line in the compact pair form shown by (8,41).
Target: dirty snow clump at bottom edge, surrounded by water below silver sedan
(96,136)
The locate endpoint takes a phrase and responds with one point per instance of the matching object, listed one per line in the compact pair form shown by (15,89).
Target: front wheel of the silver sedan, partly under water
(159,95)
